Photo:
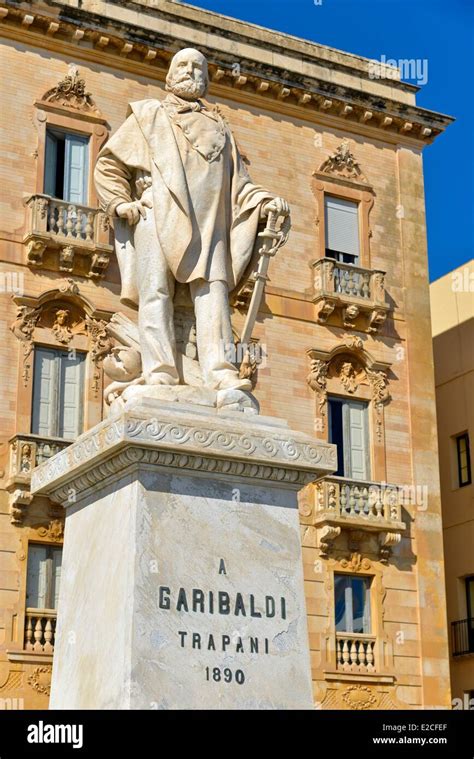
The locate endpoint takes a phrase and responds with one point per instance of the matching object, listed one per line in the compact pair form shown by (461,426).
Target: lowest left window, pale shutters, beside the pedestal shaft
(43,577)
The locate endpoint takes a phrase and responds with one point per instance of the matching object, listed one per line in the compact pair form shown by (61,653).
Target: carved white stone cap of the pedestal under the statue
(207,443)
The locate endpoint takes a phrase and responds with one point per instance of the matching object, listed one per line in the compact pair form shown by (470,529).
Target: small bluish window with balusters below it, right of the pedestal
(352,603)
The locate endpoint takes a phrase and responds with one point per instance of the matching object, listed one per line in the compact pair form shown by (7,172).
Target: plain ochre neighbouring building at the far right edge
(452,317)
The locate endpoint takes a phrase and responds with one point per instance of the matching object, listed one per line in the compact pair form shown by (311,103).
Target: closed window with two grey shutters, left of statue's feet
(58,389)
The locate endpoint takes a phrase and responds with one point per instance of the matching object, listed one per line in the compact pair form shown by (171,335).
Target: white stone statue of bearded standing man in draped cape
(185,211)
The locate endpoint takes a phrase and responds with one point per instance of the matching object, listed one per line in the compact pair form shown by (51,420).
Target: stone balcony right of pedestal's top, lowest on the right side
(342,504)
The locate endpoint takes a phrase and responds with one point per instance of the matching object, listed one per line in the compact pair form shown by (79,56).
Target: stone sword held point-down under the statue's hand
(272,240)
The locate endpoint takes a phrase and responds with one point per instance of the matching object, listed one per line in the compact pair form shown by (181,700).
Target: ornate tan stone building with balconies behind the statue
(344,330)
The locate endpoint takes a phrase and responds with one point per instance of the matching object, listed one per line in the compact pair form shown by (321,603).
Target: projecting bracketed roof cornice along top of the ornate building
(88,36)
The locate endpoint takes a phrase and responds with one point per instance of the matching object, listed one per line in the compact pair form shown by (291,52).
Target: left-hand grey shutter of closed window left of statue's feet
(44,393)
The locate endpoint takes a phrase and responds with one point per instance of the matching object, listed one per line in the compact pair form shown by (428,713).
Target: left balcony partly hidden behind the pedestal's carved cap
(26,452)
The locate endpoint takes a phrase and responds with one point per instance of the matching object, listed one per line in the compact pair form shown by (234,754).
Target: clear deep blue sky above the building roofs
(440,31)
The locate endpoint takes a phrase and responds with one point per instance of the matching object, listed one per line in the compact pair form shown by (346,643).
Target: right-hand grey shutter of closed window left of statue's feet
(71,381)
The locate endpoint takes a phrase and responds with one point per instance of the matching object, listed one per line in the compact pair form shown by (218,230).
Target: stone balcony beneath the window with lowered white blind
(358,293)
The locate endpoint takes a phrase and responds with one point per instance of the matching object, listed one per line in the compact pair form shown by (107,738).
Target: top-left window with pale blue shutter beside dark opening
(66,166)
